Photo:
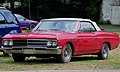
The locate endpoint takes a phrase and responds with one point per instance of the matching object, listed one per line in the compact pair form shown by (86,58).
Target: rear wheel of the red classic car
(103,54)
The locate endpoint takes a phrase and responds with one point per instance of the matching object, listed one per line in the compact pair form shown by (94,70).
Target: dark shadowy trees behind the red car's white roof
(62,8)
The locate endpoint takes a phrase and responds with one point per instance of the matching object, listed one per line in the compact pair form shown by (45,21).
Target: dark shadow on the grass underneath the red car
(55,61)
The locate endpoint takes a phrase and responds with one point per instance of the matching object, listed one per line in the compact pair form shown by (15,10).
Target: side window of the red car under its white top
(87,27)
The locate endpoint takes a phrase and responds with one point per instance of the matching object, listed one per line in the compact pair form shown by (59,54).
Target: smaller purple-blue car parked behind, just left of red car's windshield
(24,22)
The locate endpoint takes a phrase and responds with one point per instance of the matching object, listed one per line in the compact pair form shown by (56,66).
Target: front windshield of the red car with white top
(58,25)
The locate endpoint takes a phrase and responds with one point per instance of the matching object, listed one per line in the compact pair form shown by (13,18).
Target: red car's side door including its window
(87,38)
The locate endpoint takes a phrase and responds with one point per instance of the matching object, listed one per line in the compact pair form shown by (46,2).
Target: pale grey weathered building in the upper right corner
(111,11)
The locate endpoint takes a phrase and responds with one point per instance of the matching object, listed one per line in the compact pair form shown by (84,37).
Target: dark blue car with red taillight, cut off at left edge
(8,24)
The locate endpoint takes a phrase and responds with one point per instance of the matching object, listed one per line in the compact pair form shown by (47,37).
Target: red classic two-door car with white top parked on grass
(61,38)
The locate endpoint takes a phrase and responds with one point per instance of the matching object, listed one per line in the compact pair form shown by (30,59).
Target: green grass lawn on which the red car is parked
(79,62)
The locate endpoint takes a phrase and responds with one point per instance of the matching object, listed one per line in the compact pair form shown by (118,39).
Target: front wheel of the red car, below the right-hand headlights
(66,54)
